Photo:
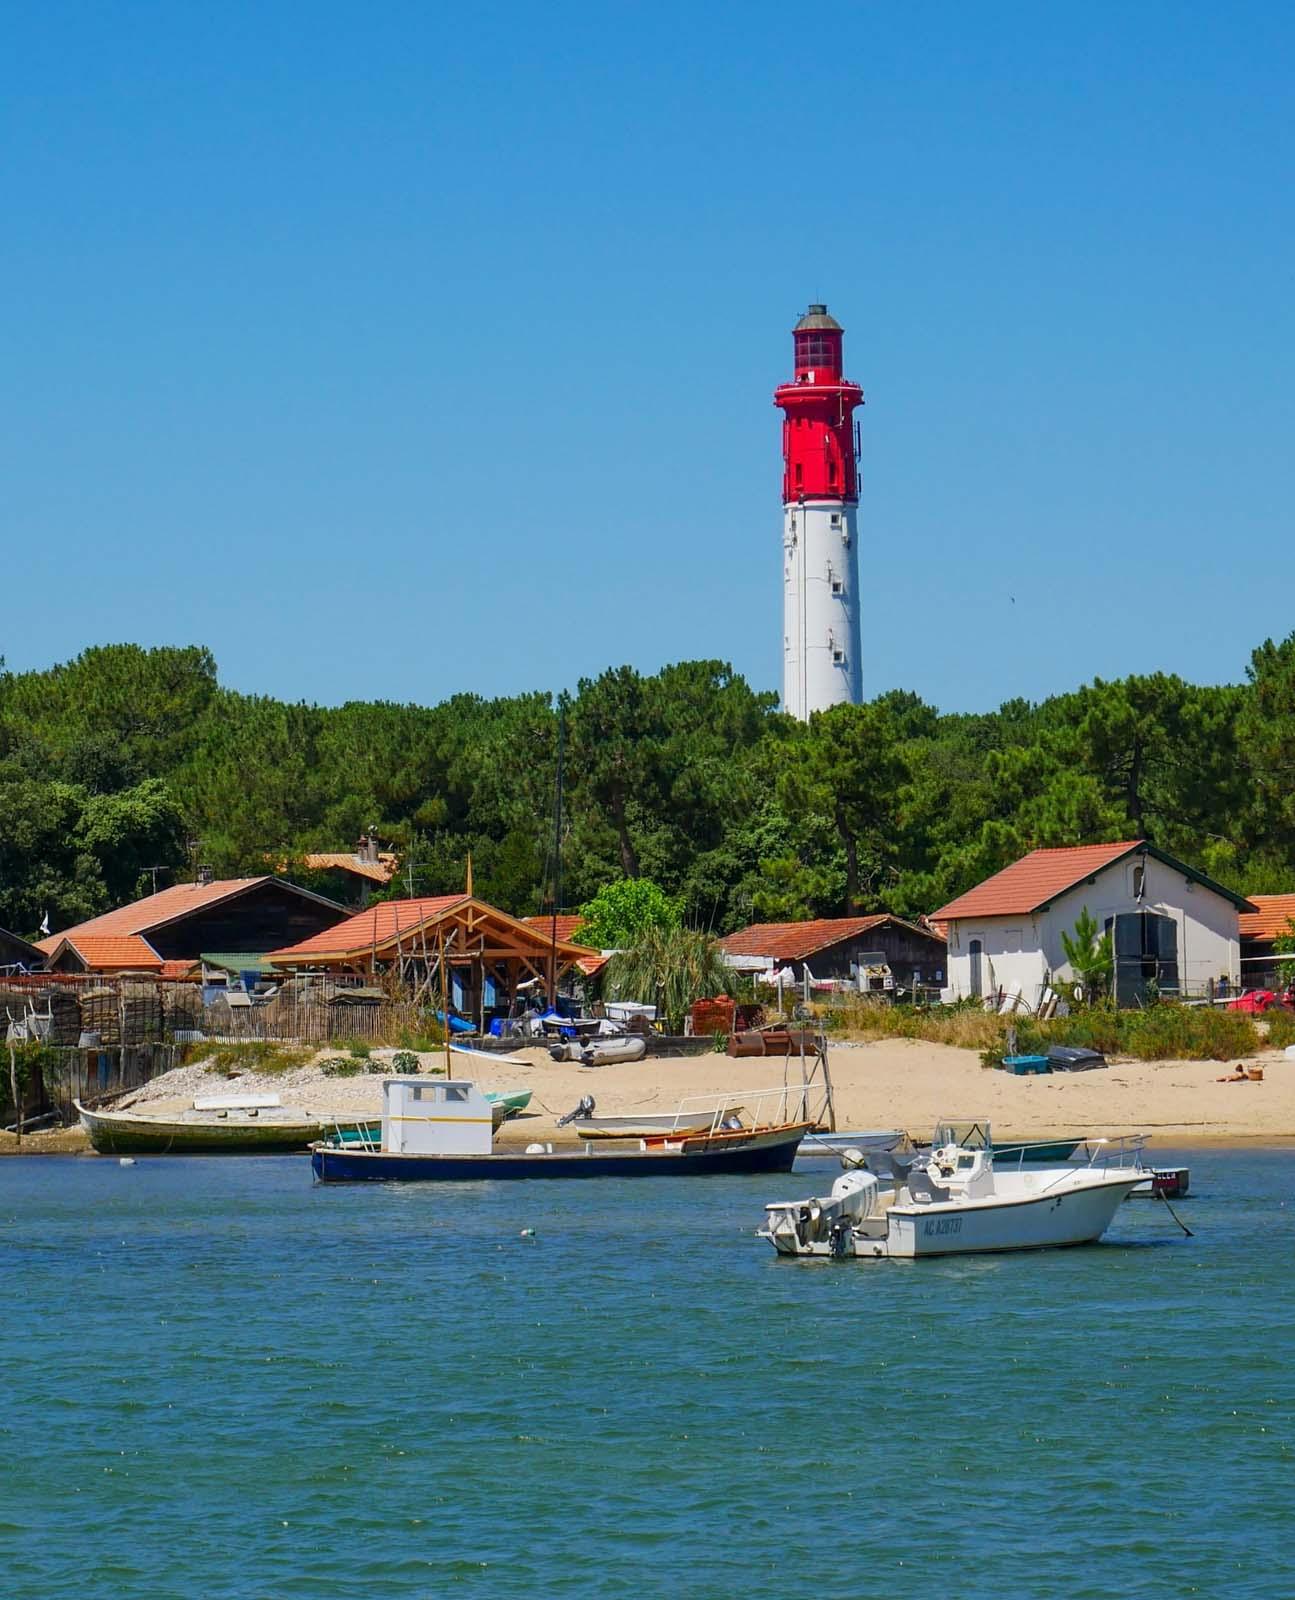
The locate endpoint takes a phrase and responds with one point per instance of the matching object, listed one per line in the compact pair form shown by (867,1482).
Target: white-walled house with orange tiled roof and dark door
(1174,930)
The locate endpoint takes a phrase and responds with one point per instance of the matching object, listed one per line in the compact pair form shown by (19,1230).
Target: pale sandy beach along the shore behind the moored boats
(886,1084)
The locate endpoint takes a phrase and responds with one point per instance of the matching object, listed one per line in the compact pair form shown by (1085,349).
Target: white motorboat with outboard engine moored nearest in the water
(955,1202)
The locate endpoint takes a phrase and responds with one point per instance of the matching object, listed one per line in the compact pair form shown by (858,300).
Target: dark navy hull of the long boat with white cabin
(769,1151)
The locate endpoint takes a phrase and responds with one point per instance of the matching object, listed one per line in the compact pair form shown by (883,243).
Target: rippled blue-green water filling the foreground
(220,1380)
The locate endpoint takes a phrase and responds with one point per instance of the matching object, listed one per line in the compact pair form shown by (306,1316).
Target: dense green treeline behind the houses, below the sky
(127,761)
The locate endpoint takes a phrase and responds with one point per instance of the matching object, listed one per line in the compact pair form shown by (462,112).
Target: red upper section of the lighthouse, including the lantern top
(819,433)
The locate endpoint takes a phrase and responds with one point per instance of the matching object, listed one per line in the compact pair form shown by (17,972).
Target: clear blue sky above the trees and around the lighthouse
(403,350)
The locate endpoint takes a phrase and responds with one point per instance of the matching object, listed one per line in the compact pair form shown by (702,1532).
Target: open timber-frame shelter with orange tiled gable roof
(406,940)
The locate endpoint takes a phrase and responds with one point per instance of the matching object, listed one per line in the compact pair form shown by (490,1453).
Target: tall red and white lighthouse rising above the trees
(820,508)
